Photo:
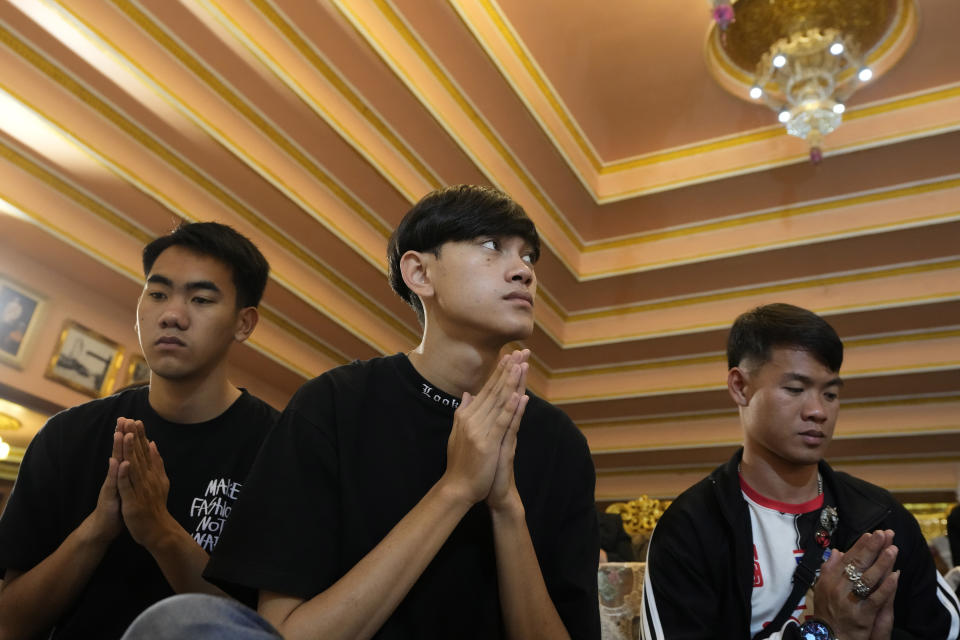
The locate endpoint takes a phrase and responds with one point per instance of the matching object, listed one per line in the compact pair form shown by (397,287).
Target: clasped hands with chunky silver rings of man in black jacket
(867,566)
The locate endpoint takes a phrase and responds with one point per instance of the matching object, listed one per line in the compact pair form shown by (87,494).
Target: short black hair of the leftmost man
(249,267)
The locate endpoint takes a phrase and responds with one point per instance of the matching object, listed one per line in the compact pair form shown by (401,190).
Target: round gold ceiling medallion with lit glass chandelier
(805,58)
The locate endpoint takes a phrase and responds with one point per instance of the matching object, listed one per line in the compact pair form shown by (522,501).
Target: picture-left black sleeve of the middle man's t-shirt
(285,523)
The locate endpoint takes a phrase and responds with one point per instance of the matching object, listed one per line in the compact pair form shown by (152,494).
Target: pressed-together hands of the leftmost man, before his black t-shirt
(134,493)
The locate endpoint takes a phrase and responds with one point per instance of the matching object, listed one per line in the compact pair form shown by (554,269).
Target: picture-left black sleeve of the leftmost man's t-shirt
(29,527)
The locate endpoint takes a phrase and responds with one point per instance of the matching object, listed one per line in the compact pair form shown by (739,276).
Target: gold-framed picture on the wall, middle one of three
(85,360)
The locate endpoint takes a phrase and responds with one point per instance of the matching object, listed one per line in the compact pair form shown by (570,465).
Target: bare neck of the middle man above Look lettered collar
(452,366)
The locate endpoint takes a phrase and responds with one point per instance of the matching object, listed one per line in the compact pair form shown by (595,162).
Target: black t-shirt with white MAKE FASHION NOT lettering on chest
(65,466)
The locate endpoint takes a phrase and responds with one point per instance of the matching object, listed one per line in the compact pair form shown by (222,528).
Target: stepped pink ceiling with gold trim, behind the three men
(667,206)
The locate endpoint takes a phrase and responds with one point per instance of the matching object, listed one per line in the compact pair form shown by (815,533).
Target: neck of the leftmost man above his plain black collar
(188,401)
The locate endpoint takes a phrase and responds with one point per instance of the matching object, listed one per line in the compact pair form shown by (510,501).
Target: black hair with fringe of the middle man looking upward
(454,214)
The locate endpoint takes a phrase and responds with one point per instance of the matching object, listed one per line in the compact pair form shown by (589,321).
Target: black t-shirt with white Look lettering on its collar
(354,452)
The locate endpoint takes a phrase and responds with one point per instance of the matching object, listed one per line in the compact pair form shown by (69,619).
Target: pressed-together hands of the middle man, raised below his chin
(483,439)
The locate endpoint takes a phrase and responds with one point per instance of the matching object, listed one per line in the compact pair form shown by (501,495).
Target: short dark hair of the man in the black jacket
(759,330)
